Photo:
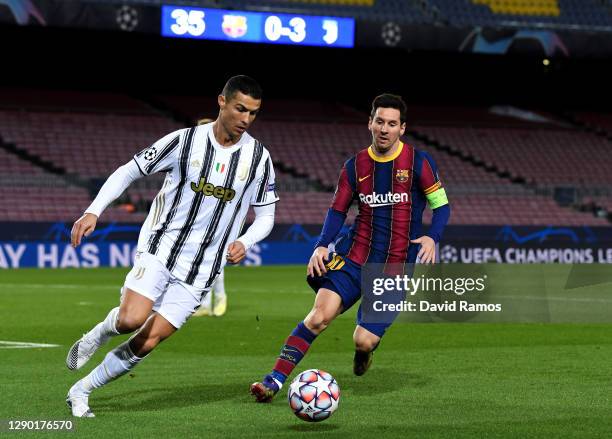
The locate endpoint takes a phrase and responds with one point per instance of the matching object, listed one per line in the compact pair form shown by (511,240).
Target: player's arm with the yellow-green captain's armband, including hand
(438,201)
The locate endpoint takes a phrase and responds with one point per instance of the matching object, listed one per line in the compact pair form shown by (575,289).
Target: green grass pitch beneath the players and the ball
(428,380)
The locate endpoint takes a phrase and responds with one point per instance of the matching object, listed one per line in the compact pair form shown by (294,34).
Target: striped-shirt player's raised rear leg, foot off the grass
(124,319)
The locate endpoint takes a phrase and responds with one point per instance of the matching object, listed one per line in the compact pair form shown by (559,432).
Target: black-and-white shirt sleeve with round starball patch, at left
(163,155)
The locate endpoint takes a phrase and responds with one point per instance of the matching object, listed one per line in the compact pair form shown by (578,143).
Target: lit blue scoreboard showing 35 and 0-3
(257,27)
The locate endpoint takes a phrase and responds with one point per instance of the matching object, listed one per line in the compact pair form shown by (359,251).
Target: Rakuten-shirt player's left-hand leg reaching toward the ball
(327,306)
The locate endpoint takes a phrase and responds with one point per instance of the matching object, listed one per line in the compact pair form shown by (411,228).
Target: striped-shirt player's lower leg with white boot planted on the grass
(118,362)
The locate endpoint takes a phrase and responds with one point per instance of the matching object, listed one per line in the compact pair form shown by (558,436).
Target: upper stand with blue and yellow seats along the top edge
(571,14)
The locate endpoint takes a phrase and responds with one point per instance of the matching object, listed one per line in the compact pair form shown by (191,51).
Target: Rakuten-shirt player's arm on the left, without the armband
(334,220)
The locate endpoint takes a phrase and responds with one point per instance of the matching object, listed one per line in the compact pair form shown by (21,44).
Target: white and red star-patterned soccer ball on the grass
(314,395)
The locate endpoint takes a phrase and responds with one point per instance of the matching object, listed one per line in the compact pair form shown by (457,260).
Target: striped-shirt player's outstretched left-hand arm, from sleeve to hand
(163,154)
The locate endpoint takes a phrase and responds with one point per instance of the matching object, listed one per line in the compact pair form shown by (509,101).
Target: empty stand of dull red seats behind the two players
(478,153)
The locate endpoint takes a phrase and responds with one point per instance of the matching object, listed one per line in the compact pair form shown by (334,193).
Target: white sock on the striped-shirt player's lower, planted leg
(117,362)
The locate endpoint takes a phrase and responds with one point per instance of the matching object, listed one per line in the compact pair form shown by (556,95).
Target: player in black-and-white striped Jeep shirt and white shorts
(214,172)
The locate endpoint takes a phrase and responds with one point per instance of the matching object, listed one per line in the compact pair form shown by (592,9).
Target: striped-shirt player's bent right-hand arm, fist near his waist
(264,200)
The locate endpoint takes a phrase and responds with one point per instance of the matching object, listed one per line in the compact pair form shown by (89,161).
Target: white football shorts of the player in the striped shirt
(172,298)
